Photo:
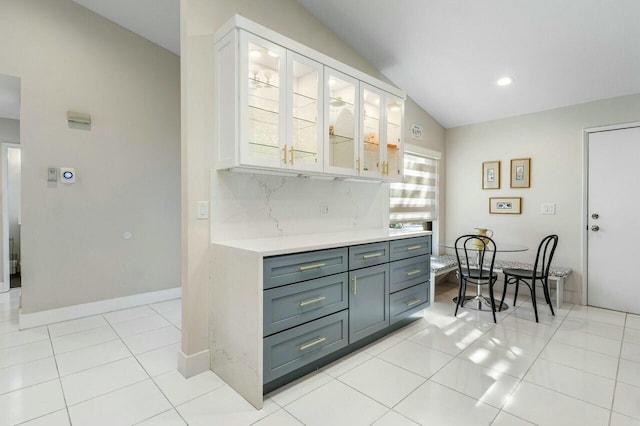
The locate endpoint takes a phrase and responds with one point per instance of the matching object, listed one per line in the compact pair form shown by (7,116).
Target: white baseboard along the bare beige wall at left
(51,316)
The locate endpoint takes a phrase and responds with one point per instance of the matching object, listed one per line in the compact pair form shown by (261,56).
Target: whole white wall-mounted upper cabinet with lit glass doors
(282,107)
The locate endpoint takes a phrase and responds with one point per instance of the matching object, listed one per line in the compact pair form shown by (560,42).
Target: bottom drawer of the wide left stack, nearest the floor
(289,350)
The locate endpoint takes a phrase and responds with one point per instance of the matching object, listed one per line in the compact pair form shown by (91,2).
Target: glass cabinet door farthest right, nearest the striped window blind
(393,159)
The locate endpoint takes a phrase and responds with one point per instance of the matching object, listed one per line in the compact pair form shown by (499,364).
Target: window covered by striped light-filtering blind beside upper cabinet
(415,200)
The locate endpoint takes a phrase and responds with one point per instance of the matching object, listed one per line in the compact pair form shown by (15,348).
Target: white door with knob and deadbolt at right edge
(613,226)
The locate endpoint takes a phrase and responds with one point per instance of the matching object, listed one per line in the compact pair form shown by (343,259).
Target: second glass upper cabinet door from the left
(304,125)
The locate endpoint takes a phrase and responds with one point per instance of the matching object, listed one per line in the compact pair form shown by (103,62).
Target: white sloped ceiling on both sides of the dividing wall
(448,54)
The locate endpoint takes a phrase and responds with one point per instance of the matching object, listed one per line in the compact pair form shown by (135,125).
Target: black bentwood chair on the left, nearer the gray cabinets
(473,252)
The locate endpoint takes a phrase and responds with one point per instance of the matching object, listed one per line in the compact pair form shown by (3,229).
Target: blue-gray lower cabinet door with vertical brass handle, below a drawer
(368,301)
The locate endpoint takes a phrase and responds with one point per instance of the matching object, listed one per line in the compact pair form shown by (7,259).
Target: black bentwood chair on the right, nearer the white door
(540,273)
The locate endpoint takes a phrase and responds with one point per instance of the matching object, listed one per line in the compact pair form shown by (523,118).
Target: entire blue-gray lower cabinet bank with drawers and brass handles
(317,303)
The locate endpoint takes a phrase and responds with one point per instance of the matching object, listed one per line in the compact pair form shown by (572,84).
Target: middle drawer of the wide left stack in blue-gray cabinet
(294,304)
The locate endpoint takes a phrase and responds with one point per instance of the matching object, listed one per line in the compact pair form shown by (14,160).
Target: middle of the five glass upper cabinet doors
(341,121)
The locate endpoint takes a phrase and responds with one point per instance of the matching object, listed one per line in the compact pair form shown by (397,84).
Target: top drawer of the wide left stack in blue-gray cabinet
(291,268)
